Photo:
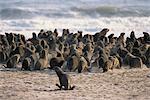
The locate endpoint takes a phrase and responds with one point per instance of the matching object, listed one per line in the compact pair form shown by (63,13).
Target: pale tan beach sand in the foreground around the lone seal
(119,84)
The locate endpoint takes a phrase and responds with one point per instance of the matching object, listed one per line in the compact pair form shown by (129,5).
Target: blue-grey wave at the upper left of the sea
(25,13)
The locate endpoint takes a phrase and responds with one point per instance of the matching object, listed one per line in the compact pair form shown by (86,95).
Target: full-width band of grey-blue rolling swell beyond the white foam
(71,9)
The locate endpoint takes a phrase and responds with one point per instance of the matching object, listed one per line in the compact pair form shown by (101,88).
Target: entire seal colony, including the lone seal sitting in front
(73,52)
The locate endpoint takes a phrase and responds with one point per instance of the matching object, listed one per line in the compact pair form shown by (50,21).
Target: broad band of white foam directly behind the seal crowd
(87,25)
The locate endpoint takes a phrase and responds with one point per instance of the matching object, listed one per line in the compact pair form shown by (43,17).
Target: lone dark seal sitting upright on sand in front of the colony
(64,79)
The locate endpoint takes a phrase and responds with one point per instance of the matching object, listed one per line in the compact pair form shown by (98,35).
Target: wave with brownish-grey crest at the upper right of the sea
(113,11)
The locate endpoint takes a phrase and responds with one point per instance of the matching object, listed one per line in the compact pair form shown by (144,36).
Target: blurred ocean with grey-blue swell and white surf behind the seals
(90,16)
